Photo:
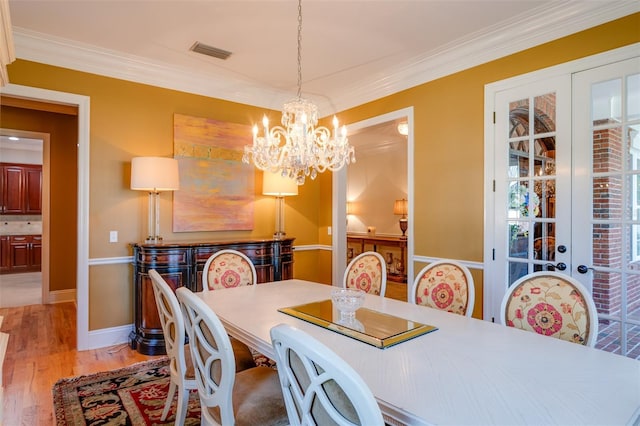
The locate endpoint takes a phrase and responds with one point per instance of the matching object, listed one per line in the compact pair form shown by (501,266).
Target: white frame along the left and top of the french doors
(491,300)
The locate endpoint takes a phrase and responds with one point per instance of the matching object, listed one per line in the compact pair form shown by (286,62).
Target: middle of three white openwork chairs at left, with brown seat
(250,397)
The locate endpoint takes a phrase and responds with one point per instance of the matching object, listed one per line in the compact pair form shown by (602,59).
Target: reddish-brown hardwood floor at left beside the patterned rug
(41,350)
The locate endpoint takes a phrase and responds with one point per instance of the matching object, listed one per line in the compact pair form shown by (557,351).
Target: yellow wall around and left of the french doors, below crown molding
(449,140)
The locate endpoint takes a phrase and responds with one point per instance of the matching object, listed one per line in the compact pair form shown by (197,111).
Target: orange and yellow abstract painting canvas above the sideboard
(216,188)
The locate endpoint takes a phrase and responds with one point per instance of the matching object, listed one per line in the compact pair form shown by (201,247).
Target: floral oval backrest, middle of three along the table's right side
(446,285)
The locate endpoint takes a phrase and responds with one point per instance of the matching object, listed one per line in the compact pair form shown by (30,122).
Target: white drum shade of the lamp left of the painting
(154,174)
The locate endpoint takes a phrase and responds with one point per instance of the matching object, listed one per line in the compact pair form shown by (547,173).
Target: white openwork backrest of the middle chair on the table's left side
(212,356)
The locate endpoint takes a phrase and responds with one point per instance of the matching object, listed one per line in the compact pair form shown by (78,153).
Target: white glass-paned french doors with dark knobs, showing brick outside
(566,159)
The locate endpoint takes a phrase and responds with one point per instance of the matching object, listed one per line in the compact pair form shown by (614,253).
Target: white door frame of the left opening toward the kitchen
(82,283)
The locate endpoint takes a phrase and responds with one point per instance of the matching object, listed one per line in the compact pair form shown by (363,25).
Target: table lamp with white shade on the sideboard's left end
(154,174)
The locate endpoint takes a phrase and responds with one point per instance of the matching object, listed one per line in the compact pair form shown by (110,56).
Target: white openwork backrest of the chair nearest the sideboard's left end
(172,321)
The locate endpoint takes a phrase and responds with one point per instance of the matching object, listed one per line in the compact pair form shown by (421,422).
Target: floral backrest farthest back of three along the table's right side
(367,272)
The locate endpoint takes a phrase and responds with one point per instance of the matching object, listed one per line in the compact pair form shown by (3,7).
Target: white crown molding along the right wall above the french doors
(541,26)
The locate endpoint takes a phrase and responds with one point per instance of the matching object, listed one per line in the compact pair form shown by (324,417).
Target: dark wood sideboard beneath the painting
(181,264)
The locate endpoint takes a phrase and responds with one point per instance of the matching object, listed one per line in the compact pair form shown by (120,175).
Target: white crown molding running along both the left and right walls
(526,31)
